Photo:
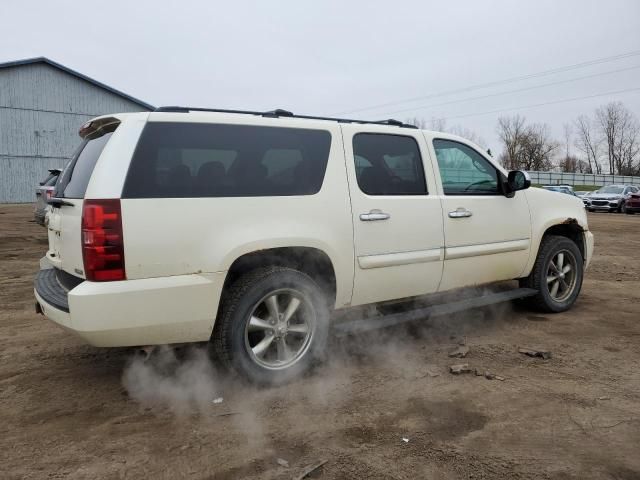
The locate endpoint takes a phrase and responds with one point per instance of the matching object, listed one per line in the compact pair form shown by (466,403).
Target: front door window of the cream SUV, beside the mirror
(464,171)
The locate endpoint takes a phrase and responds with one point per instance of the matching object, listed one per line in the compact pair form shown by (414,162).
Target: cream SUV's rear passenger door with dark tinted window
(397,218)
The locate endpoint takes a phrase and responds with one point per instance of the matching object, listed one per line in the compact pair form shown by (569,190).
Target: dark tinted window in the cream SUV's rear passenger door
(388,165)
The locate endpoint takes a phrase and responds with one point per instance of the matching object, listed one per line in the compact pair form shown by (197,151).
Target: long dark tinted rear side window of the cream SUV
(178,160)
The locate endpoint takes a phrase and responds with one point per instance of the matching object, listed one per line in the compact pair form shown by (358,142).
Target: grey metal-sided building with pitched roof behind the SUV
(42,106)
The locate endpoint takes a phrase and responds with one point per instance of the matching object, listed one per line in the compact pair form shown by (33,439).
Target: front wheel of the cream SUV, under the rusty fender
(557,275)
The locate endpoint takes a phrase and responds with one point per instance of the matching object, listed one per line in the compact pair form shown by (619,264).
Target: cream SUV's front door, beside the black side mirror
(487,235)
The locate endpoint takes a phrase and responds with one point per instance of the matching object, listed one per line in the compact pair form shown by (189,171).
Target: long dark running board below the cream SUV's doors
(383,321)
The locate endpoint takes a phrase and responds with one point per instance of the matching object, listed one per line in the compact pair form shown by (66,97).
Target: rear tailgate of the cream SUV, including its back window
(65,218)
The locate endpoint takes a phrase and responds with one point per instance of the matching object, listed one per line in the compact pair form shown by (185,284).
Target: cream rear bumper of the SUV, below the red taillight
(153,311)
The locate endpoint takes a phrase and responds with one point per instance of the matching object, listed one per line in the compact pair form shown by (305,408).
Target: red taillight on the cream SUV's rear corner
(102,241)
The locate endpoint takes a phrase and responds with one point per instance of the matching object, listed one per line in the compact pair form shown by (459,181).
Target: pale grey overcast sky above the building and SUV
(333,57)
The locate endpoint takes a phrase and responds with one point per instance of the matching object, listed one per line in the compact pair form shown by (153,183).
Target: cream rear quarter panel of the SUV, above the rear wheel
(178,236)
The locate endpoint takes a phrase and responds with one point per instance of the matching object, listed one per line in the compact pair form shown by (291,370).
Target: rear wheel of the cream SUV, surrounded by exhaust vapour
(273,325)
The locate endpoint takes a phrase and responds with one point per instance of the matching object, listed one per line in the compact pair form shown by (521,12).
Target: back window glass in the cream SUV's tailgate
(75,177)
